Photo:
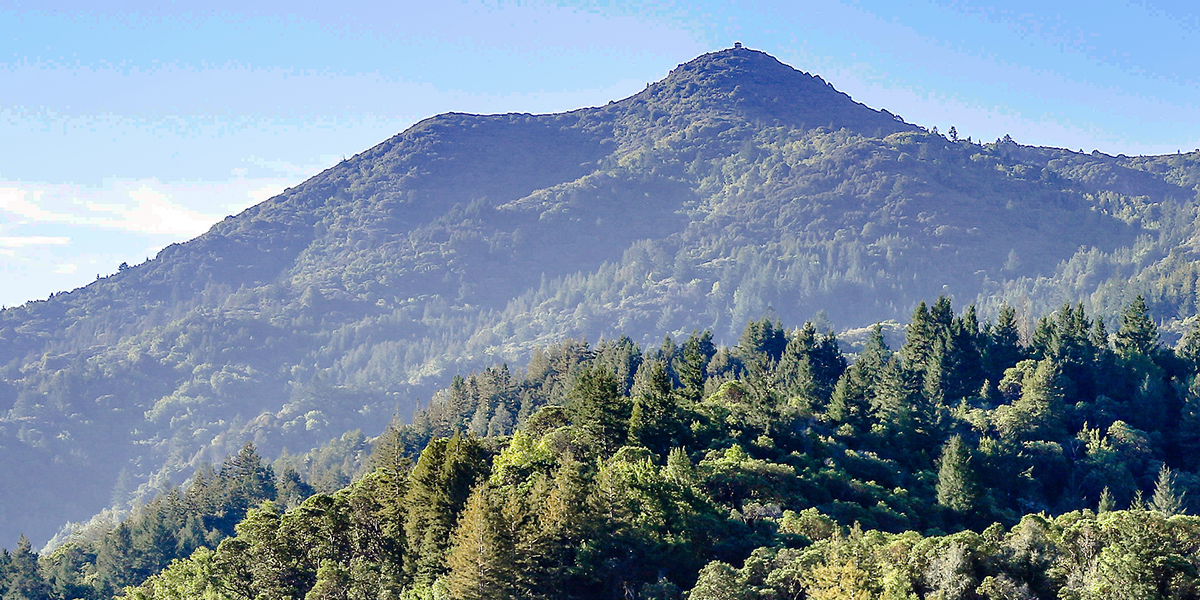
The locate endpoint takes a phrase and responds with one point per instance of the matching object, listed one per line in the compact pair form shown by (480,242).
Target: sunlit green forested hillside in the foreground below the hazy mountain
(965,465)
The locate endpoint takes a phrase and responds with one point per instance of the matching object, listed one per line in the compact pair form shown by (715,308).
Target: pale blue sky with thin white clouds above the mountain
(135,125)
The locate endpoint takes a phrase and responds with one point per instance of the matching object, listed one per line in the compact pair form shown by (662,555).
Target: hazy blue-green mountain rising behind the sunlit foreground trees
(734,189)
